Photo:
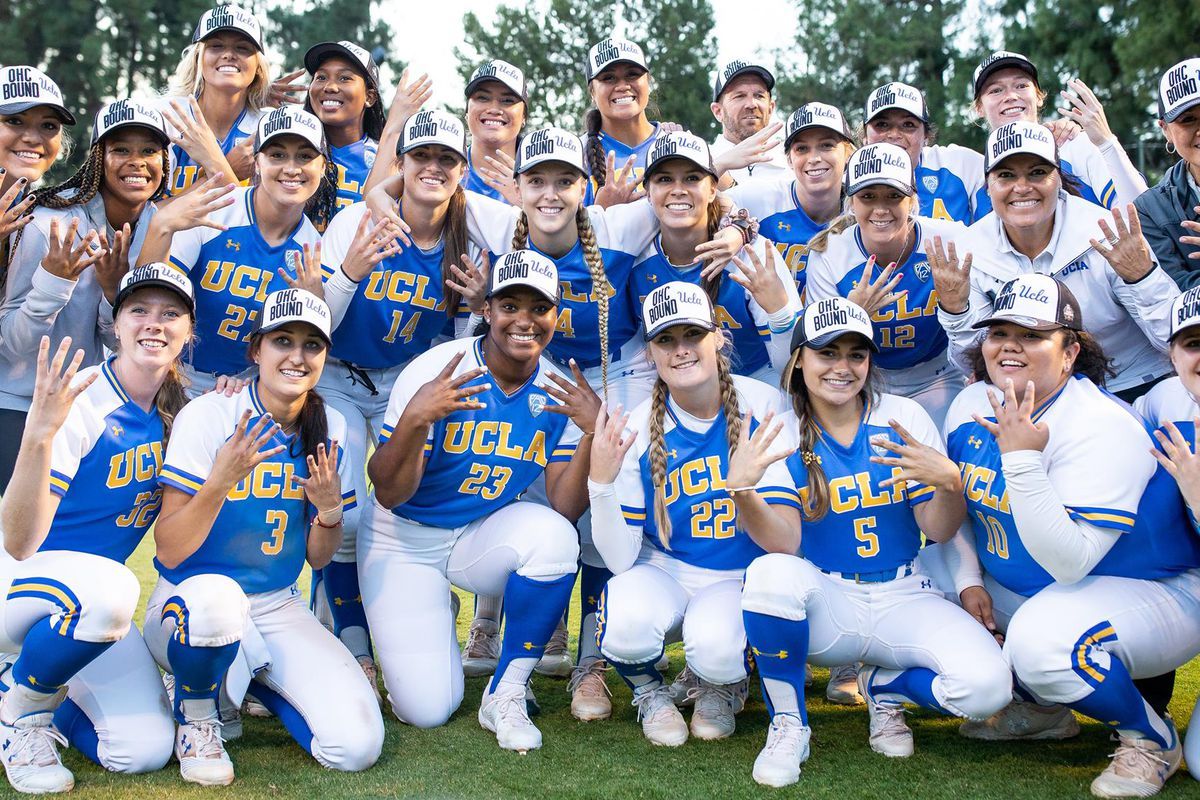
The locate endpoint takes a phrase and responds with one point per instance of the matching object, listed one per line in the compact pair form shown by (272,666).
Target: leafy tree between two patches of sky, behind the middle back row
(550,41)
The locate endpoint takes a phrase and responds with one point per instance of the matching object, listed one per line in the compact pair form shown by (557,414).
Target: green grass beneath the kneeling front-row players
(611,760)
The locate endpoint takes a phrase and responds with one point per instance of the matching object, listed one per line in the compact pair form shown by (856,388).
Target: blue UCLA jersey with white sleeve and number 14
(395,312)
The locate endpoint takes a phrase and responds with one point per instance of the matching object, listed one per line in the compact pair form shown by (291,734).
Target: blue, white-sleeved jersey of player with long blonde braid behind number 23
(621,232)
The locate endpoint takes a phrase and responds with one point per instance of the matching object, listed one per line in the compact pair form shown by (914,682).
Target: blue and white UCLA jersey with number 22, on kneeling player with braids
(704,520)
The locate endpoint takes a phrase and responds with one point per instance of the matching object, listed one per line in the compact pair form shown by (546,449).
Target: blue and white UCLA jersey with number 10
(1100,466)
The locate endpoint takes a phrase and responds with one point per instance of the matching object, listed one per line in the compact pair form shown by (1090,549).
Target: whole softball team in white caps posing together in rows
(820,393)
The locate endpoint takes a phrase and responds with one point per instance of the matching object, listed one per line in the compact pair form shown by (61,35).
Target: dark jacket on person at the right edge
(1162,209)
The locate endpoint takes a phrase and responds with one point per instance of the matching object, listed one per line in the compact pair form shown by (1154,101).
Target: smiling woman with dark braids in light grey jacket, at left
(97,219)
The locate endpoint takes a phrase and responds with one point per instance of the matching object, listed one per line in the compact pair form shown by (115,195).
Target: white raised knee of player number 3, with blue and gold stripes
(211,610)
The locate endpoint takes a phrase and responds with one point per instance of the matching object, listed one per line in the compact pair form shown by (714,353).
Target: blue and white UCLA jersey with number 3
(260,538)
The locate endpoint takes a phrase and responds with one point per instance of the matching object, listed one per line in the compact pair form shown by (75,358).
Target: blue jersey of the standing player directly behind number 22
(743,320)
